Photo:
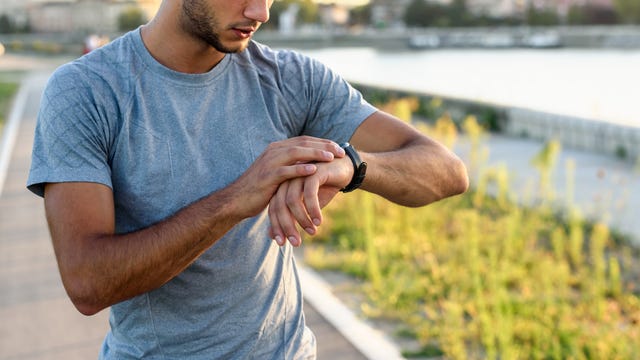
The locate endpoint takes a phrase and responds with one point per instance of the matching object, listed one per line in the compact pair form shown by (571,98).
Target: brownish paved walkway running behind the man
(37,321)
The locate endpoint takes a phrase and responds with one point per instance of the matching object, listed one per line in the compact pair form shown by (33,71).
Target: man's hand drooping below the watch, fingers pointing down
(301,199)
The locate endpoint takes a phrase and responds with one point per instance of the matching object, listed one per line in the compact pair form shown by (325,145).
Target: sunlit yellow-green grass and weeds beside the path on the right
(482,276)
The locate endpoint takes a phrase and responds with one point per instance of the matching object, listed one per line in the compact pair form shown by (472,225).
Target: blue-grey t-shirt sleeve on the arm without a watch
(71,136)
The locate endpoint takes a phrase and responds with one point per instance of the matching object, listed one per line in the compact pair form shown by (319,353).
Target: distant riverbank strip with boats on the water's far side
(619,37)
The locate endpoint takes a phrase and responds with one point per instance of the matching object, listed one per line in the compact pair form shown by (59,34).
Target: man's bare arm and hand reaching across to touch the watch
(100,268)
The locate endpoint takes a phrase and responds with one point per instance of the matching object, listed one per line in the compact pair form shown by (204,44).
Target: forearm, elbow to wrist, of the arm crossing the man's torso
(107,268)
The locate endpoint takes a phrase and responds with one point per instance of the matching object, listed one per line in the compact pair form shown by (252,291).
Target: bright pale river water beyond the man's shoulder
(581,97)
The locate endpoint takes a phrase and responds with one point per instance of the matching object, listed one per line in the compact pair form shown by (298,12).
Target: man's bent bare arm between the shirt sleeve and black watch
(406,166)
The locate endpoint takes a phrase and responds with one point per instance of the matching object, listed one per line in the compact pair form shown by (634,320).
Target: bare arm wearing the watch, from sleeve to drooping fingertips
(404,166)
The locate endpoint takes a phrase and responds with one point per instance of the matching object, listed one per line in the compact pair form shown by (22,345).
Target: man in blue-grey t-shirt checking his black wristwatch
(169,160)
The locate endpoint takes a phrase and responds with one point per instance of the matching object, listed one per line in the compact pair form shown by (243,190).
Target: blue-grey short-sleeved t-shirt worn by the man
(162,140)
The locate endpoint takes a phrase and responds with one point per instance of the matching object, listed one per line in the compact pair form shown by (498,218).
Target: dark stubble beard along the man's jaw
(197,22)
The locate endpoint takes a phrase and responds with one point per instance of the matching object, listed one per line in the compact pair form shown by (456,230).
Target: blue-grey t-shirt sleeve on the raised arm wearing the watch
(333,109)
